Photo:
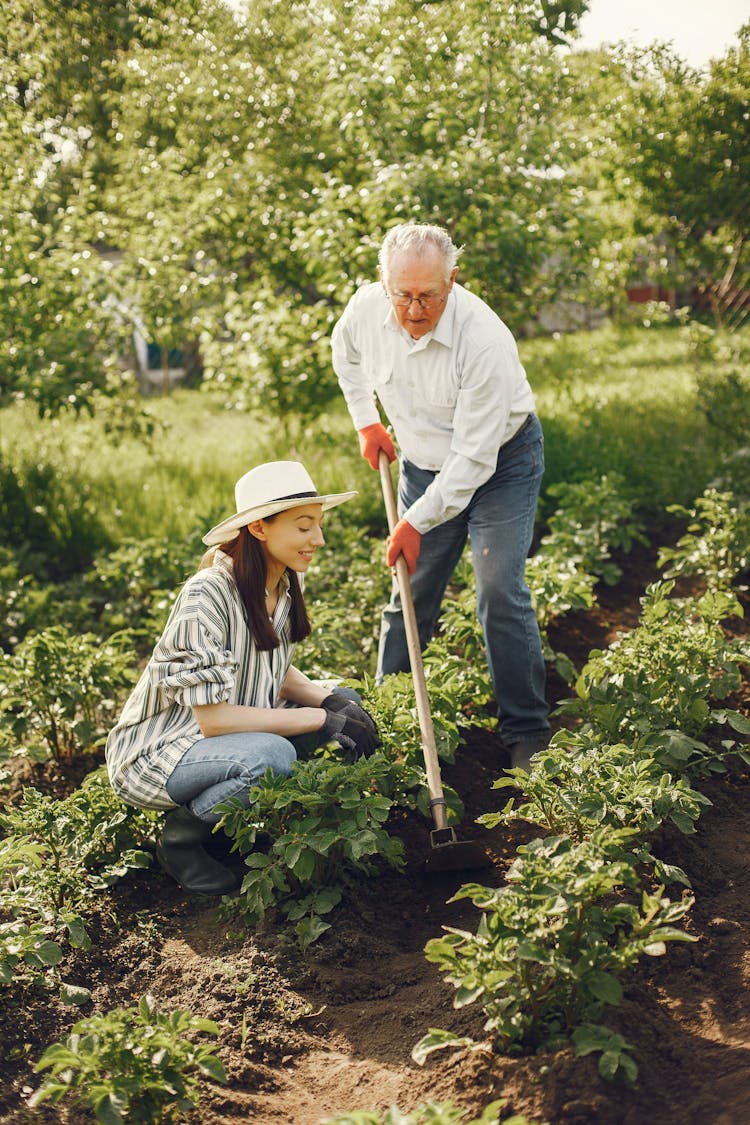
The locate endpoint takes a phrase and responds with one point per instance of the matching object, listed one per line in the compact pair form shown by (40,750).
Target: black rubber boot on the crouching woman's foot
(182,854)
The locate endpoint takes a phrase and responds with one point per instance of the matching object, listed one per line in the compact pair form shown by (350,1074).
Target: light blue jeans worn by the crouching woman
(224,767)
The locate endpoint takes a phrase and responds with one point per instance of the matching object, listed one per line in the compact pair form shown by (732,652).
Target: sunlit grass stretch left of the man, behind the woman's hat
(92,490)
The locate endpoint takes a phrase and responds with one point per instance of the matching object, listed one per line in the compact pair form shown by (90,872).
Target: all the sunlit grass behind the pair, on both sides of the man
(621,399)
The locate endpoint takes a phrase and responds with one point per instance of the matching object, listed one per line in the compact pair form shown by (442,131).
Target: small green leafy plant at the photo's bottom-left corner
(133,1065)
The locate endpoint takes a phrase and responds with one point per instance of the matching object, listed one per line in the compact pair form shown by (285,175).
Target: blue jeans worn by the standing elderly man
(500,524)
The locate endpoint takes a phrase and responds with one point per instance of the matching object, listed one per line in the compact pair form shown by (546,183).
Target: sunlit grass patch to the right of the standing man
(624,399)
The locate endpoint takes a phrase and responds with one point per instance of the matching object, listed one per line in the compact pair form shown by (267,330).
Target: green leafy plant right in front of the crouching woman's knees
(323,824)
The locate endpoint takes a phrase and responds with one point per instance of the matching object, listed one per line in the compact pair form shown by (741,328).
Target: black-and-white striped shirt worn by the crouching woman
(205,655)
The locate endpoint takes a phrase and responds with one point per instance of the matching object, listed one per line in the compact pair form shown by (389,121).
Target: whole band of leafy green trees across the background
(221,179)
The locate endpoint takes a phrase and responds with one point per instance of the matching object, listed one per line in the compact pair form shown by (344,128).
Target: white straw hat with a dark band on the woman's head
(267,490)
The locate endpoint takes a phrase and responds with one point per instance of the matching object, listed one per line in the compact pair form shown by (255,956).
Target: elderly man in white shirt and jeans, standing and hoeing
(447,373)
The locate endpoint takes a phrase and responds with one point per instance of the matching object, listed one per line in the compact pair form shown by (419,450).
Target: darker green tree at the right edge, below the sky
(688,146)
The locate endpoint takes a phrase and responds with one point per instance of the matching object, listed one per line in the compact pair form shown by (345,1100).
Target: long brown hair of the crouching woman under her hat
(249,565)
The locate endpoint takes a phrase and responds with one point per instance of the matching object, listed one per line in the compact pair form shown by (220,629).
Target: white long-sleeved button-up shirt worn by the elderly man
(454,398)
